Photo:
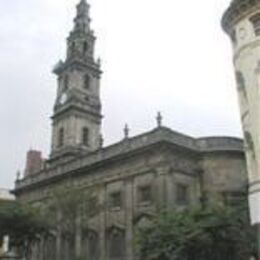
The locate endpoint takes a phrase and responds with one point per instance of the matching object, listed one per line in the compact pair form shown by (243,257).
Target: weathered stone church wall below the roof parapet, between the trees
(162,167)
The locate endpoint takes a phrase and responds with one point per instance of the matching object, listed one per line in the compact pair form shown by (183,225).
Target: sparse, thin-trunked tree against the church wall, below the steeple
(69,212)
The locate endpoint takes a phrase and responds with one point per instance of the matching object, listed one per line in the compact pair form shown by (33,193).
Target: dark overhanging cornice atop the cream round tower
(236,11)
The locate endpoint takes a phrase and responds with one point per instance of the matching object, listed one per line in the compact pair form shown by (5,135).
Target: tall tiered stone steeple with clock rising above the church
(77,110)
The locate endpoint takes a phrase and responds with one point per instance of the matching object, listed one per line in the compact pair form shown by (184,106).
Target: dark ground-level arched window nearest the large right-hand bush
(116,244)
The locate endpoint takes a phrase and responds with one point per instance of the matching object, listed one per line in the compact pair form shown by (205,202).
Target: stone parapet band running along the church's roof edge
(132,146)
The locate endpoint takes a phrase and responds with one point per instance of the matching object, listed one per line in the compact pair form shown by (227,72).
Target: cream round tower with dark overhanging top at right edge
(241,22)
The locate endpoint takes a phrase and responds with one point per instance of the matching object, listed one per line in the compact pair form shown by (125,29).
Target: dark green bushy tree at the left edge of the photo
(23,224)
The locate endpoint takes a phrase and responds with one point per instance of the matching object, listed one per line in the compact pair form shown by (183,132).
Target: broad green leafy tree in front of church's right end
(212,232)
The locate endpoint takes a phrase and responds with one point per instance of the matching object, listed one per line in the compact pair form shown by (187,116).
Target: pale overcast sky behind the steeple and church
(156,55)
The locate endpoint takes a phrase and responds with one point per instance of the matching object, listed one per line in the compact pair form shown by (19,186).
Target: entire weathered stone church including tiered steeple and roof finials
(133,178)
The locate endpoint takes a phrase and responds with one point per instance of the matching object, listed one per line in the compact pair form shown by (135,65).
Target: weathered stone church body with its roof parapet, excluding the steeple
(160,163)
